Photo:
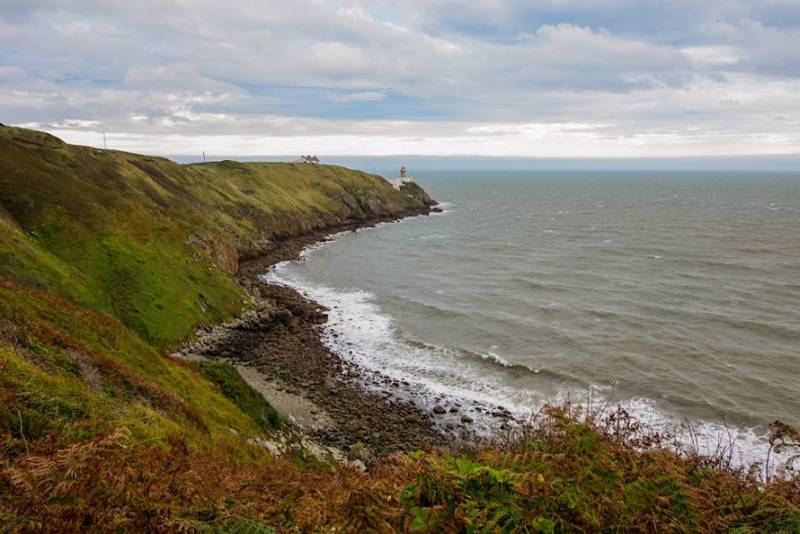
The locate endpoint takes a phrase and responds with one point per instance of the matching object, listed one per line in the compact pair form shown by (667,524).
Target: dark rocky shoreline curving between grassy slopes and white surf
(277,348)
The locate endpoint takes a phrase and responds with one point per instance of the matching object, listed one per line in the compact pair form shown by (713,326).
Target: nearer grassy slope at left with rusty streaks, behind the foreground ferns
(72,373)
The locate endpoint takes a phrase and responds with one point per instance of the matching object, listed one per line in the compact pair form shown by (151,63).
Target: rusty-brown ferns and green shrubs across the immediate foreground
(562,474)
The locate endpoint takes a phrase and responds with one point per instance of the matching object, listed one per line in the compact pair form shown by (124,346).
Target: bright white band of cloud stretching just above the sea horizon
(380,138)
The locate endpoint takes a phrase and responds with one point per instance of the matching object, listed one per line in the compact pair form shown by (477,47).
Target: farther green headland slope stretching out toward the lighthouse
(154,243)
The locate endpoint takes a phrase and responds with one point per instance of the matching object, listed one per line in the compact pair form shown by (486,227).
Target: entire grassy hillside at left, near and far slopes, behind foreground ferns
(109,258)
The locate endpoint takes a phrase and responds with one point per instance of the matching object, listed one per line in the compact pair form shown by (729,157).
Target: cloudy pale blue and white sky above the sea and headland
(516,78)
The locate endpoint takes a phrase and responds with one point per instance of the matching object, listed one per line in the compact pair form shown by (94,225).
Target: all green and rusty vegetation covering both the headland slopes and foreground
(109,259)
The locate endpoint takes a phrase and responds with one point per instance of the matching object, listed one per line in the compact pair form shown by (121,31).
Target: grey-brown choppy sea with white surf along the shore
(675,294)
